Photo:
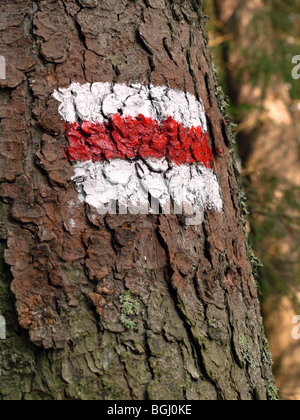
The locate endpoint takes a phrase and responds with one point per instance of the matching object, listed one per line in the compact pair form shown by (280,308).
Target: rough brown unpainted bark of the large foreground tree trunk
(197,331)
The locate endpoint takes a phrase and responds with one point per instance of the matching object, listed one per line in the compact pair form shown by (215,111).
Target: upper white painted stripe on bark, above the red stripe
(98,101)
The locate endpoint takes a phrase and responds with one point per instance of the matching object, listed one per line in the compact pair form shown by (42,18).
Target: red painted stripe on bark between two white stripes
(133,138)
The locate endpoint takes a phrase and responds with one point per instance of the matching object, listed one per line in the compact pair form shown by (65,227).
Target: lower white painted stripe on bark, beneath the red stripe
(127,186)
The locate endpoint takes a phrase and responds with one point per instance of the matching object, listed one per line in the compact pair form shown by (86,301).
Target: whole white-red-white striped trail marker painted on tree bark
(139,149)
